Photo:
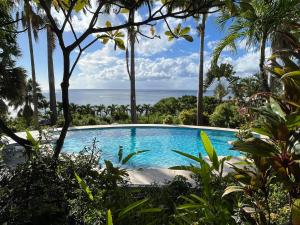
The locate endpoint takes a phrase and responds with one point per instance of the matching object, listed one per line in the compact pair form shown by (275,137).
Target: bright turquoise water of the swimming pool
(159,140)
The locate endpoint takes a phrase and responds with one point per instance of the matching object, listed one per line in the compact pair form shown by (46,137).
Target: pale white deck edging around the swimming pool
(145,176)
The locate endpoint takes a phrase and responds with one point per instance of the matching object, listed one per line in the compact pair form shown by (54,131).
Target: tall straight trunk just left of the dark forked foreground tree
(51,78)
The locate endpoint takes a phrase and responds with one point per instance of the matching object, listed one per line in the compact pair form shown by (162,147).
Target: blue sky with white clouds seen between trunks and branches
(160,64)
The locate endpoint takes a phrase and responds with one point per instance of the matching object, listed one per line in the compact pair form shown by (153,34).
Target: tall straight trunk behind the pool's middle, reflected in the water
(132,71)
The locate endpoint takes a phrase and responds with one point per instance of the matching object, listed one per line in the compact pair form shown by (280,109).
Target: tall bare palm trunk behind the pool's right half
(201,65)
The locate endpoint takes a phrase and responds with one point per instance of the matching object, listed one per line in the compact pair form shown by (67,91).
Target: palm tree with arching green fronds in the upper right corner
(258,23)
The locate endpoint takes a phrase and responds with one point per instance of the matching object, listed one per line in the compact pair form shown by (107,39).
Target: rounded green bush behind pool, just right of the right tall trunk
(225,115)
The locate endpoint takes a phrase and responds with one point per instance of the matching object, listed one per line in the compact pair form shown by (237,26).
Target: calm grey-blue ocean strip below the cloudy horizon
(121,97)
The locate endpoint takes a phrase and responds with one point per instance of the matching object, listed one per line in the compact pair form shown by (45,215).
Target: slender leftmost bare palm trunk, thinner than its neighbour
(35,99)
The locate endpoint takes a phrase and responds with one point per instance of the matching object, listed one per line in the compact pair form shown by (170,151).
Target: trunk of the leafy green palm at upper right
(263,74)
